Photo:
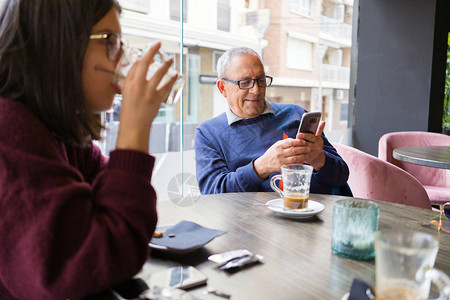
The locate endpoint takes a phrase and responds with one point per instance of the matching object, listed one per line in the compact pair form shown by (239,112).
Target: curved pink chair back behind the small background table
(426,175)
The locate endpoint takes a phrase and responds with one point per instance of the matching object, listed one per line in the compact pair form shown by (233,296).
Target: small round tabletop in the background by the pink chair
(431,156)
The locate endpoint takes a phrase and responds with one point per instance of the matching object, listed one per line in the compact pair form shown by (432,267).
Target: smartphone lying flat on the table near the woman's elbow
(181,277)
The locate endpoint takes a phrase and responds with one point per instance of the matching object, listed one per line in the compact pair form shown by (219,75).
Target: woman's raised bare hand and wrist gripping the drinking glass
(141,101)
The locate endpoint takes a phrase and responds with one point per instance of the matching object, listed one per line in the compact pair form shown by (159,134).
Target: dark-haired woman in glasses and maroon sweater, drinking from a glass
(72,223)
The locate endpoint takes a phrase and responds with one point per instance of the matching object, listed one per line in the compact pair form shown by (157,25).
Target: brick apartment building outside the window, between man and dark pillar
(308,53)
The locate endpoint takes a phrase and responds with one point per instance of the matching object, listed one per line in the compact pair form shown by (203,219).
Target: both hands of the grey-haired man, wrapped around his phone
(306,148)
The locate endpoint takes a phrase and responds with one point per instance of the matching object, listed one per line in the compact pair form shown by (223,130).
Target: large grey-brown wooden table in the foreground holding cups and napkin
(298,261)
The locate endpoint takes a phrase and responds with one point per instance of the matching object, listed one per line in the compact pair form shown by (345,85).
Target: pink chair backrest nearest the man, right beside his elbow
(373,178)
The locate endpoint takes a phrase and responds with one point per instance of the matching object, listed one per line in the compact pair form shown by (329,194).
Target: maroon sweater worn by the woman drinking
(71,223)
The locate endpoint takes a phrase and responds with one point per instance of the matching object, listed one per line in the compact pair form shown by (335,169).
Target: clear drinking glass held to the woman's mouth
(131,55)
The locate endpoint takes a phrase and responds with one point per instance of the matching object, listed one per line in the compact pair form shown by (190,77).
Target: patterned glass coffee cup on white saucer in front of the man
(296,182)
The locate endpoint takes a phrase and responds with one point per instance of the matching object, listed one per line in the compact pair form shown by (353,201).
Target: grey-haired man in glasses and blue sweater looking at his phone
(241,149)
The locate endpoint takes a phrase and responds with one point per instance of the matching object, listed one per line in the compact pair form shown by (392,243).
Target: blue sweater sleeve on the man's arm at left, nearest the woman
(213,174)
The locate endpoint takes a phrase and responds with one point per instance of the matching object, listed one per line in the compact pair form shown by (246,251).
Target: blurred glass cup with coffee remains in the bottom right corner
(404,264)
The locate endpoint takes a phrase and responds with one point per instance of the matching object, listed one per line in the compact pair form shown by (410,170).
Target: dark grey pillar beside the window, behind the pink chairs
(400,81)
